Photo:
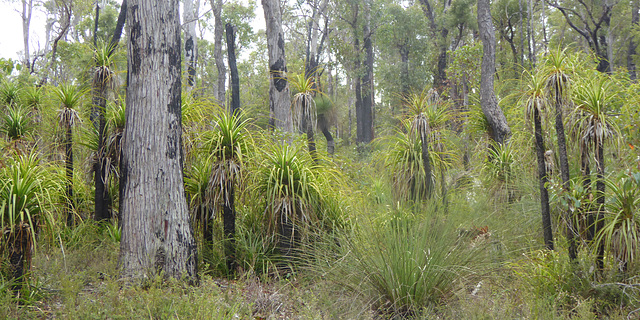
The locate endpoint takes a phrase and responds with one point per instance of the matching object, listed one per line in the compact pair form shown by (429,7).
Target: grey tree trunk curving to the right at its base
(500,130)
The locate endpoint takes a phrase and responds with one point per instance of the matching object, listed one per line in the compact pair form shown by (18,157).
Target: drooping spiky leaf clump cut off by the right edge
(621,230)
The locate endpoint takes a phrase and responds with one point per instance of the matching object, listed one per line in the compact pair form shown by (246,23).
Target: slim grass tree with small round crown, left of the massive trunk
(70,97)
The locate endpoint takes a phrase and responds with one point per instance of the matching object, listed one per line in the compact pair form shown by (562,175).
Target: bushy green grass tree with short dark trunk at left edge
(28,193)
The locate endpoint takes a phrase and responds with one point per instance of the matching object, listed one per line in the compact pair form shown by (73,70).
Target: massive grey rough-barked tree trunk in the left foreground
(156,235)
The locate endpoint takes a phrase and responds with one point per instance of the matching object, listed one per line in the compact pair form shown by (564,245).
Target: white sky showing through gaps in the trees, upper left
(11,43)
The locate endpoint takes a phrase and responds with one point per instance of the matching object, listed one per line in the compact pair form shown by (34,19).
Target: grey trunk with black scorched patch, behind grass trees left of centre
(279,96)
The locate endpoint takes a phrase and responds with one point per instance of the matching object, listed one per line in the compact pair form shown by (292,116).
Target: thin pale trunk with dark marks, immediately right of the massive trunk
(191,40)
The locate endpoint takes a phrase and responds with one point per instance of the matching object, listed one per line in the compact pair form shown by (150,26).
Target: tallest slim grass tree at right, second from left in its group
(558,86)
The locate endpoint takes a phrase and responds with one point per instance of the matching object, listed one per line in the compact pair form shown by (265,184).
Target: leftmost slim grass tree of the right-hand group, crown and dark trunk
(535,103)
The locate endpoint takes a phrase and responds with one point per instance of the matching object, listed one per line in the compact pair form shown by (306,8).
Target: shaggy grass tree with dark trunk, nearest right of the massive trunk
(228,146)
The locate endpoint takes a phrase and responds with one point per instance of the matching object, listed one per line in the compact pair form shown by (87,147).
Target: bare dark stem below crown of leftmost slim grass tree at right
(542,175)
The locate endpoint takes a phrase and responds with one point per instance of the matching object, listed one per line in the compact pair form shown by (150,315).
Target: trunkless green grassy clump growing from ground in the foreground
(405,264)
